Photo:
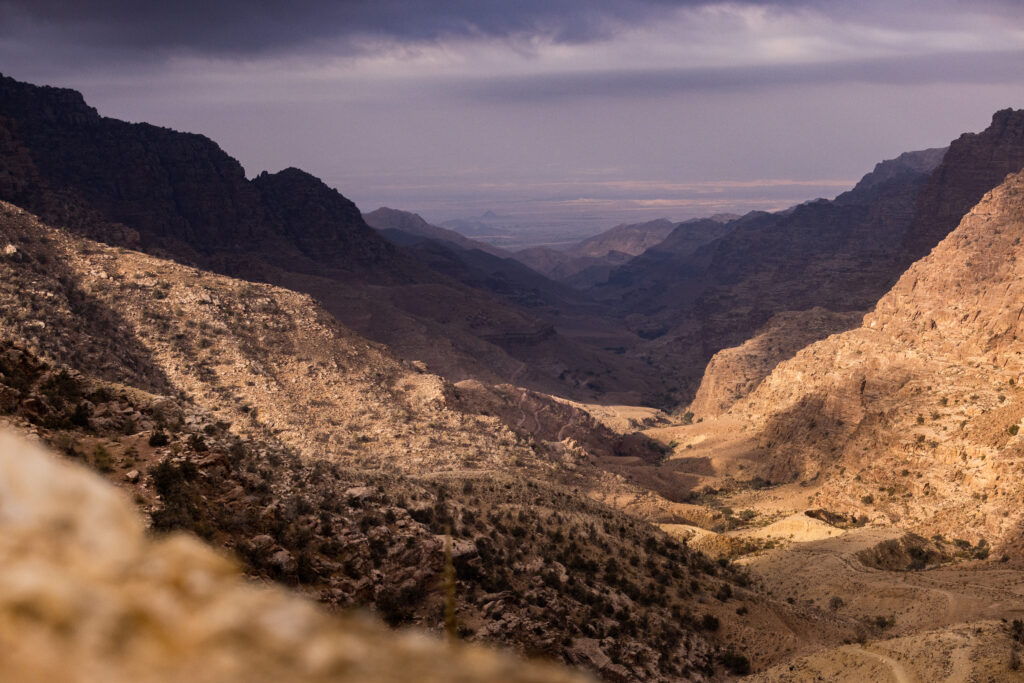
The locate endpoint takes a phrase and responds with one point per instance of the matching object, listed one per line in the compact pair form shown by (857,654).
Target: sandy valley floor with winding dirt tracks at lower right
(950,623)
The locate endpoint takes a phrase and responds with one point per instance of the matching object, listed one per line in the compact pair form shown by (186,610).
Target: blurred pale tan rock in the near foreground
(86,595)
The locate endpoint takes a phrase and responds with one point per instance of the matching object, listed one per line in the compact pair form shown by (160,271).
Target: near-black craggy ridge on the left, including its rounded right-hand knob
(182,192)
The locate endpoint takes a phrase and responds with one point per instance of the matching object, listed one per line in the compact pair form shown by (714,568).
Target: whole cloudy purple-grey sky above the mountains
(576,114)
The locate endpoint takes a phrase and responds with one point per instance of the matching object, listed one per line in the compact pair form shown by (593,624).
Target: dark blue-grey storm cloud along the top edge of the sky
(243,27)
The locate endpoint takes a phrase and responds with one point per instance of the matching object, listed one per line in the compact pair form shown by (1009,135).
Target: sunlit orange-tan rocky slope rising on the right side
(924,402)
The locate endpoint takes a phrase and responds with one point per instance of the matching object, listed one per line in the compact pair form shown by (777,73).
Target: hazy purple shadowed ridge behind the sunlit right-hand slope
(840,255)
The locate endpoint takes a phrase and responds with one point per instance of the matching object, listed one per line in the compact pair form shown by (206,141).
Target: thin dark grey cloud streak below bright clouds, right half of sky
(971,68)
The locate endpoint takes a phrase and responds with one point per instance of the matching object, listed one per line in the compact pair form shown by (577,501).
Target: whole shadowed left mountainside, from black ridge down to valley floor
(181,196)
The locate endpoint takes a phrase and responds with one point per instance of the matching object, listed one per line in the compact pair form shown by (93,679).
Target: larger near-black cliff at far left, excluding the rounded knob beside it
(168,186)
